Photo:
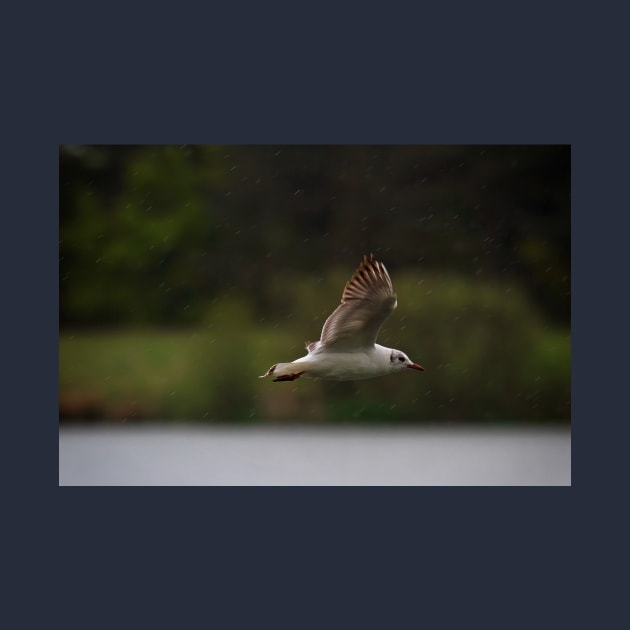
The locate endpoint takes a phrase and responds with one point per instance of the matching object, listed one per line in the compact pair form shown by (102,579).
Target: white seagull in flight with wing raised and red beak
(347,350)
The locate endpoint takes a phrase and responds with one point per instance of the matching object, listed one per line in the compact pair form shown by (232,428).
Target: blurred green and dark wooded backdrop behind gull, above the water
(187,271)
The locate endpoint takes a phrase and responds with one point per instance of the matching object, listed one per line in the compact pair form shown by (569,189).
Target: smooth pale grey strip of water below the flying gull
(163,455)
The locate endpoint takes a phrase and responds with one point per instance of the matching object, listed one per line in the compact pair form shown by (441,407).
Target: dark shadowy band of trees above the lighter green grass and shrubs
(149,233)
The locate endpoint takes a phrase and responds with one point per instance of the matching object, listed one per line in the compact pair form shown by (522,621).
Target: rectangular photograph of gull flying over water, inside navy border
(315,315)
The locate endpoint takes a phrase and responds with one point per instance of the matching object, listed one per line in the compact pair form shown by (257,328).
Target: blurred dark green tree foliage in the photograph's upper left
(137,259)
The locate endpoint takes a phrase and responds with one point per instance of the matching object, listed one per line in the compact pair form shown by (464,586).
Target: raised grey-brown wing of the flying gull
(367,301)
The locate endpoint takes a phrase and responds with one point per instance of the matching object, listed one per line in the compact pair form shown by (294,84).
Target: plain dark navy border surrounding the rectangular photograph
(367,557)
